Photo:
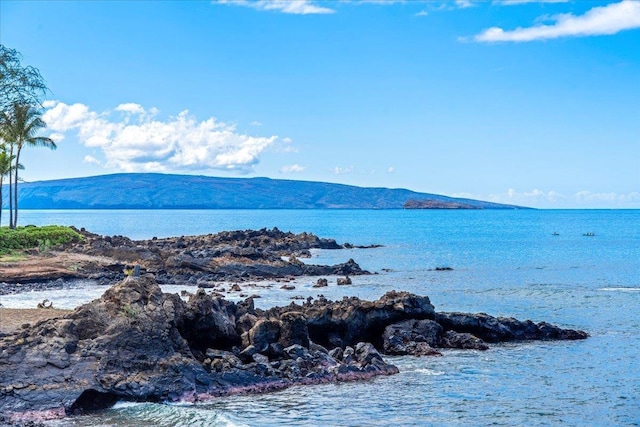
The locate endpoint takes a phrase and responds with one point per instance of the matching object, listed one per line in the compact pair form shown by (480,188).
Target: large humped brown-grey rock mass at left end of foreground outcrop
(125,345)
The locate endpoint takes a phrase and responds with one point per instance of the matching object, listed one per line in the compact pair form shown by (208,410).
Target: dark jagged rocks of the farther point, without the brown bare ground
(231,255)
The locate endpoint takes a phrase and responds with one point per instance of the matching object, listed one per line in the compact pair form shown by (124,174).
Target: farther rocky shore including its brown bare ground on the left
(205,261)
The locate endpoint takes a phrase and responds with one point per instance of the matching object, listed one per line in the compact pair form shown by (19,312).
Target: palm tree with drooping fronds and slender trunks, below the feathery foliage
(20,126)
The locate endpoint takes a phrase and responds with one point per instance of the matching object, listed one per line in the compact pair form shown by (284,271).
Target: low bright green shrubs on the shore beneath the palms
(31,237)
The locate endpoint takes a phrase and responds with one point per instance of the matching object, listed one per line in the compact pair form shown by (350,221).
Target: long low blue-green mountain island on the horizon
(160,191)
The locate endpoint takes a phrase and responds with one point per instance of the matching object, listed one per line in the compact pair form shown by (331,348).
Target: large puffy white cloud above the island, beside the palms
(178,143)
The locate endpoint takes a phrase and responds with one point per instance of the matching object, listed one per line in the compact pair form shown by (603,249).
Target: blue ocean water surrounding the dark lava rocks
(504,263)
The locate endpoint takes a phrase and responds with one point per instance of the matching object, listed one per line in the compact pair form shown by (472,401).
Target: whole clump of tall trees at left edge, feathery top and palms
(21,91)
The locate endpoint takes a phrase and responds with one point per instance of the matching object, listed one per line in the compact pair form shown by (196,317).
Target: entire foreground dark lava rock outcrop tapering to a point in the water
(136,343)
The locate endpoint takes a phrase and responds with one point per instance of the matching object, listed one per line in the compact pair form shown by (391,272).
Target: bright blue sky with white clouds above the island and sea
(535,103)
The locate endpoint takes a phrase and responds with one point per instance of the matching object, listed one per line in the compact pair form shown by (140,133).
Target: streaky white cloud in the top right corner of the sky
(603,20)
